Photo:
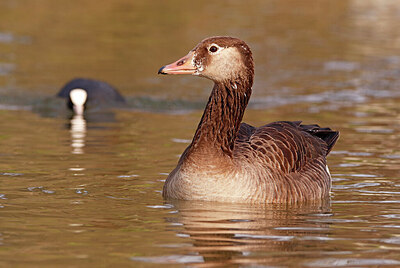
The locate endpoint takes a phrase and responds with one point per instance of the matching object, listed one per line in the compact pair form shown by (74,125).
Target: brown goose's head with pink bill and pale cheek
(219,58)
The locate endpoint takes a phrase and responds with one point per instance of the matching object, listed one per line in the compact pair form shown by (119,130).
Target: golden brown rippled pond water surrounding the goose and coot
(86,192)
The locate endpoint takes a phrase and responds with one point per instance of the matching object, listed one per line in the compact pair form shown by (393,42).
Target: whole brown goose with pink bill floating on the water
(230,161)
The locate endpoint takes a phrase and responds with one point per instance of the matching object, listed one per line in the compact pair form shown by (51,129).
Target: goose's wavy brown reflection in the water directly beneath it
(233,234)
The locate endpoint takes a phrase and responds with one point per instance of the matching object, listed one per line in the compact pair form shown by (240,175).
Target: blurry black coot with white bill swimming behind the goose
(100,94)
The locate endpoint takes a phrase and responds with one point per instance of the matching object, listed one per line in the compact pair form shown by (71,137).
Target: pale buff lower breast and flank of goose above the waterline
(247,184)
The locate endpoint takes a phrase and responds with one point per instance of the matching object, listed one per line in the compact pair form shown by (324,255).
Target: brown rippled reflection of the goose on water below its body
(228,233)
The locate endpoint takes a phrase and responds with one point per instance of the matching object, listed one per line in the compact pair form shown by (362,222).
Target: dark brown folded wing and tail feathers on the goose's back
(289,145)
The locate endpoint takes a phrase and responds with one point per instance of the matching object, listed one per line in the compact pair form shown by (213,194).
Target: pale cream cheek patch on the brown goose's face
(223,64)
